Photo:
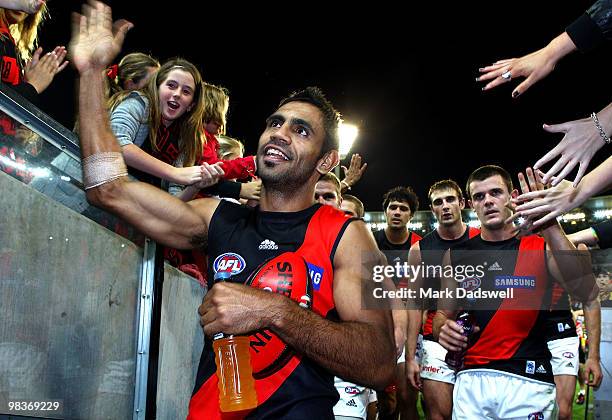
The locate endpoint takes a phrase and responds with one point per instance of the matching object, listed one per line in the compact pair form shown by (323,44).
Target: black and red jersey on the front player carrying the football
(240,239)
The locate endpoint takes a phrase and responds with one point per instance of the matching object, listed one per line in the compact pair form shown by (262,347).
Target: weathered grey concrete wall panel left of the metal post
(68,299)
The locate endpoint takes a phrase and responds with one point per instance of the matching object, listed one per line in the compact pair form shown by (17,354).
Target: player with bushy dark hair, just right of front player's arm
(399,205)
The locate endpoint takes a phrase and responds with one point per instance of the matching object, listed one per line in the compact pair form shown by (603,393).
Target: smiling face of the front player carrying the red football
(290,146)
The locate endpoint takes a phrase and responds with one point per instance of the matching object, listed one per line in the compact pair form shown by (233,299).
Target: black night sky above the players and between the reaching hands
(403,72)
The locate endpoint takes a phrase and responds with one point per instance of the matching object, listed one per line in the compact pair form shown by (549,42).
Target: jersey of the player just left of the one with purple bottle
(433,247)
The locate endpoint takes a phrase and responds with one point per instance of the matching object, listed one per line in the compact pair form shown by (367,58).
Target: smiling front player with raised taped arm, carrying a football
(298,145)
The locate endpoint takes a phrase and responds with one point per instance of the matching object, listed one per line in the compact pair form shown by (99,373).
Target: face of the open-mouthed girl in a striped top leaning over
(176,95)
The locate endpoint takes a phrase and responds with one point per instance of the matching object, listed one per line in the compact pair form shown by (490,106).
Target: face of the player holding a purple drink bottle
(489,200)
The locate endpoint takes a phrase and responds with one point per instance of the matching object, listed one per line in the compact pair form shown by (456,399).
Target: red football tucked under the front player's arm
(286,274)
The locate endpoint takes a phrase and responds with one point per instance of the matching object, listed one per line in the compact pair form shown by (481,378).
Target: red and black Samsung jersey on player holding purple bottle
(511,338)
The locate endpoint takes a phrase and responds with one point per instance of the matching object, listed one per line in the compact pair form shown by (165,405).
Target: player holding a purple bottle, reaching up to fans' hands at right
(507,371)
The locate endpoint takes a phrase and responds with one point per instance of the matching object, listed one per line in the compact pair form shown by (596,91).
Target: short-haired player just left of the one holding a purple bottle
(446,202)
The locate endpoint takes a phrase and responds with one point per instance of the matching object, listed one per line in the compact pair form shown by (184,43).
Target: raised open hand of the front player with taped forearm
(96,41)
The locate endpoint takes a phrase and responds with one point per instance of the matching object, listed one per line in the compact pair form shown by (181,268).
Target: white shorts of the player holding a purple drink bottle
(492,394)
